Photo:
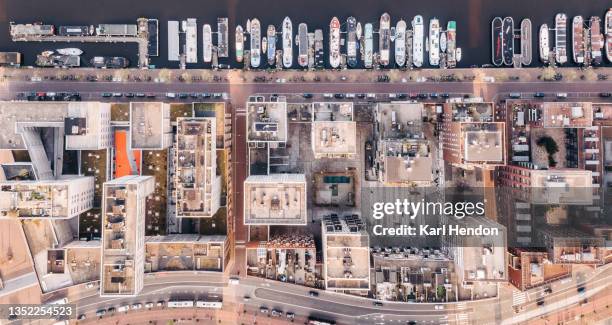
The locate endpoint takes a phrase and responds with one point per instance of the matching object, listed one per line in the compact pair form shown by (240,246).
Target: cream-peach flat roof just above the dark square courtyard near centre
(334,138)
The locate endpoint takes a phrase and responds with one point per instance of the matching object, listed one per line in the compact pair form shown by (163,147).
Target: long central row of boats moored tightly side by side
(410,44)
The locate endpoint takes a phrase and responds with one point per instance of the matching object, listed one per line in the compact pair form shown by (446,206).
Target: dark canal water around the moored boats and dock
(473,19)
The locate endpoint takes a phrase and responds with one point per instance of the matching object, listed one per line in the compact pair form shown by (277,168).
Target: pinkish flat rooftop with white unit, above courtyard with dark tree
(567,114)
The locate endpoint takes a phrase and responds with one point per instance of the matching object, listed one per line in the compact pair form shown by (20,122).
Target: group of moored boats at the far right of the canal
(588,43)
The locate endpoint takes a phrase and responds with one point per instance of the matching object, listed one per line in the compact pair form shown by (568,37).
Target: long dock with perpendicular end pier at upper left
(105,33)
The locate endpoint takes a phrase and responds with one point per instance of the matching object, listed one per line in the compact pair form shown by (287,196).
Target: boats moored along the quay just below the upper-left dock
(71,57)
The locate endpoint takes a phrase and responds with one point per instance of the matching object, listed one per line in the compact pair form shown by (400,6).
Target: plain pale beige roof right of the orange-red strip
(149,125)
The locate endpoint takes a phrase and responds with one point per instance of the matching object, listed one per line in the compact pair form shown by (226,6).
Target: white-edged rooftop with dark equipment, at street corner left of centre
(266,121)
